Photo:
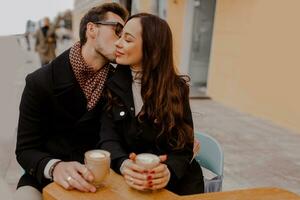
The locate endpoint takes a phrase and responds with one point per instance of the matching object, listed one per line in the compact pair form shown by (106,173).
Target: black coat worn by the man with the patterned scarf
(54,121)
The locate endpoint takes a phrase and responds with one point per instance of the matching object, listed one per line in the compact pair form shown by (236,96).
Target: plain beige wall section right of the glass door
(255,61)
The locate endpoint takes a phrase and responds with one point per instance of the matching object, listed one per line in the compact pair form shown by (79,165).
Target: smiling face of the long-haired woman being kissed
(129,46)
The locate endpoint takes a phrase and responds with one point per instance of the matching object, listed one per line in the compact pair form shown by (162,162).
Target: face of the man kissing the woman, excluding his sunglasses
(105,37)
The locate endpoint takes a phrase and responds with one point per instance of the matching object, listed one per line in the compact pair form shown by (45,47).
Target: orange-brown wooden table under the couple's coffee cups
(115,188)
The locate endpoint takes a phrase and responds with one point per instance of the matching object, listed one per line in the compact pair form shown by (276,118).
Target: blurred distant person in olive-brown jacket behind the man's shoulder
(45,43)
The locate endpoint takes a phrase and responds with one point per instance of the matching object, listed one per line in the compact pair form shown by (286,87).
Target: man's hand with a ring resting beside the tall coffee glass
(73,175)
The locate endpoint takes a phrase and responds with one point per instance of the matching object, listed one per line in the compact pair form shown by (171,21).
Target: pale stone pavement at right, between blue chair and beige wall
(257,153)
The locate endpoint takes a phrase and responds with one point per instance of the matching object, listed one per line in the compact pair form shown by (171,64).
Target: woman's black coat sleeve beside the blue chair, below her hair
(179,160)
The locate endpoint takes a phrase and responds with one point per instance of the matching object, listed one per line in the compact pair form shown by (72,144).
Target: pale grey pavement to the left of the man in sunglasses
(16,63)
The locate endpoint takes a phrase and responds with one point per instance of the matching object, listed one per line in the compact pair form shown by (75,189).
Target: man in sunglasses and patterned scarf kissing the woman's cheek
(61,106)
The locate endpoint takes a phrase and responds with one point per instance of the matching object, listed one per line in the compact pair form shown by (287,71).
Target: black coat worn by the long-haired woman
(122,134)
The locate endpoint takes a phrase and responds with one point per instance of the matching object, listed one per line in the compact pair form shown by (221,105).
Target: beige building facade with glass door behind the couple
(244,52)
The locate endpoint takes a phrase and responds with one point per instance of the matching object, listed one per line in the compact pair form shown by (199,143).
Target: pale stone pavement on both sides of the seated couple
(257,152)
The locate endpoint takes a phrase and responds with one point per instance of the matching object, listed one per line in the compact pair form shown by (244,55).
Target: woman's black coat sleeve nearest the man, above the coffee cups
(111,141)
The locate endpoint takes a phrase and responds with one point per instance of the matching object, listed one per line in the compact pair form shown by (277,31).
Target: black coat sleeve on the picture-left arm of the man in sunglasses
(30,139)
